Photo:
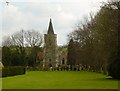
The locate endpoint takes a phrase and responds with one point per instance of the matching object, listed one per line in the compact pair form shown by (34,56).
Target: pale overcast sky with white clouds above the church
(35,14)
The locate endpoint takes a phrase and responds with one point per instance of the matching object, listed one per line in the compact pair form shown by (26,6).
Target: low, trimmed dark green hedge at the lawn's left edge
(13,70)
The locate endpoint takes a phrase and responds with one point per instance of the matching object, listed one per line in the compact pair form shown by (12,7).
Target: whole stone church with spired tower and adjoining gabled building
(52,57)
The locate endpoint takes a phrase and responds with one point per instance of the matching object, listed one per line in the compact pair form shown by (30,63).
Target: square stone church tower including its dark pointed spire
(50,48)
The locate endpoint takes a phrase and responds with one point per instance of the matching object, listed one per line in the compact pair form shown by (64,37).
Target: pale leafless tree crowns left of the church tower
(23,38)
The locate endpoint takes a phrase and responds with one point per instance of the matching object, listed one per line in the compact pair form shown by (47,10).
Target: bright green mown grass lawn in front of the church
(59,80)
